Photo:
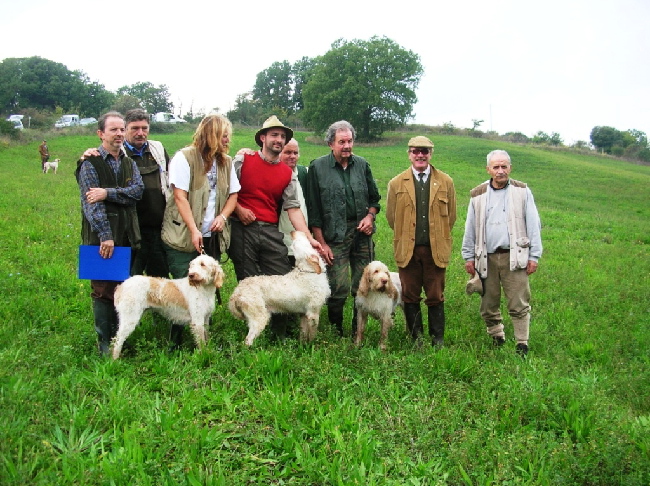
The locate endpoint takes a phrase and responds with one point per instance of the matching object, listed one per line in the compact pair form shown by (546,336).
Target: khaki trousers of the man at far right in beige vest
(517,292)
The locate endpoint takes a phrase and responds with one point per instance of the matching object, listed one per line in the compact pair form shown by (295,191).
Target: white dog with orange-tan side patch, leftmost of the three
(188,300)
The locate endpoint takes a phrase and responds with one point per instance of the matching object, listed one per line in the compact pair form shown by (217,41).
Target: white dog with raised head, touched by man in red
(304,290)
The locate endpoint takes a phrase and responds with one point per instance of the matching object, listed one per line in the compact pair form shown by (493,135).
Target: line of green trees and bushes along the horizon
(371,83)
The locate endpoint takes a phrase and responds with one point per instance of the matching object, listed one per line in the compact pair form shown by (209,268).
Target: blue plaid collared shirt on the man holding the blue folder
(96,213)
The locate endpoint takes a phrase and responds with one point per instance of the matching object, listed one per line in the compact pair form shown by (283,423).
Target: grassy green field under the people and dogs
(576,412)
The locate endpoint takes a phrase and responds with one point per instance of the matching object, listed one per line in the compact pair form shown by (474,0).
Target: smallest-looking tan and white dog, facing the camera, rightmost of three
(380,292)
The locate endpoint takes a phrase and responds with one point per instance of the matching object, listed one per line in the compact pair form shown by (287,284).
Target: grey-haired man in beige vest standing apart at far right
(502,244)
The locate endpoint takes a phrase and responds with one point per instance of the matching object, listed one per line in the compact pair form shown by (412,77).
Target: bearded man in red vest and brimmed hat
(267,185)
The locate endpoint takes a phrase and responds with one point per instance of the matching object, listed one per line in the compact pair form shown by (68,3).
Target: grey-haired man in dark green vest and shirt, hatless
(342,204)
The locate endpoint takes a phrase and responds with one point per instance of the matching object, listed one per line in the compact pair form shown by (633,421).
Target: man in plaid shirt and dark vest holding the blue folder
(109,183)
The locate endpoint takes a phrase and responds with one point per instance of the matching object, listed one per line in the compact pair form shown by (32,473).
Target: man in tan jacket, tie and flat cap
(421,210)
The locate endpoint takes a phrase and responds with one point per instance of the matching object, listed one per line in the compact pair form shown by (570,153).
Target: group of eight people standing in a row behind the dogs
(170,211)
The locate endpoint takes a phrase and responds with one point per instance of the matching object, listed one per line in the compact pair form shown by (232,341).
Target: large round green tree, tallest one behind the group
(370,83)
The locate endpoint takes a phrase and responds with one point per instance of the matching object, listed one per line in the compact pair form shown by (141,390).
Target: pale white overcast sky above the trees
(557,65)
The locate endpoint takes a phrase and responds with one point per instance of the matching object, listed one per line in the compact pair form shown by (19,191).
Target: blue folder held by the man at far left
(93,267)
